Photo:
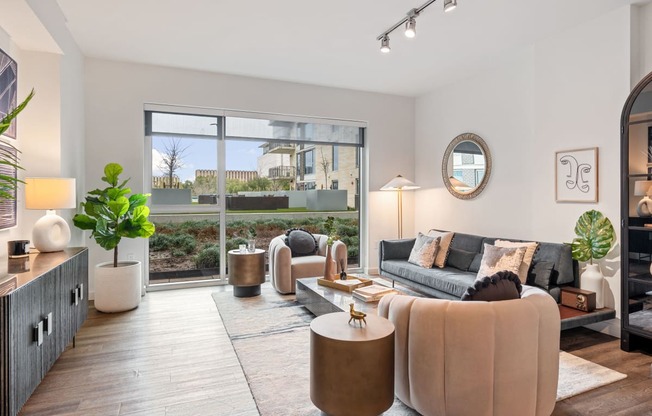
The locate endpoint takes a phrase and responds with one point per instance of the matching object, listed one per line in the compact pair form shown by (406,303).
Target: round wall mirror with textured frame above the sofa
(466,166)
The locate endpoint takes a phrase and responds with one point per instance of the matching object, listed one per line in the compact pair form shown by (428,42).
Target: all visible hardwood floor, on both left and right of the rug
(172,356)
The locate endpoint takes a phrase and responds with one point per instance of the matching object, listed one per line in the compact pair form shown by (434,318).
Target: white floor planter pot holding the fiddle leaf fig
(117,289)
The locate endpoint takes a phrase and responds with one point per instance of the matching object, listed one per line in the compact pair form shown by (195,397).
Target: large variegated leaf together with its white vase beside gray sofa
(595,238)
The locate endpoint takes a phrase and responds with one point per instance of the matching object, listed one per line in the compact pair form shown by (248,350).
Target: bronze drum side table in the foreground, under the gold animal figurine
(351,367)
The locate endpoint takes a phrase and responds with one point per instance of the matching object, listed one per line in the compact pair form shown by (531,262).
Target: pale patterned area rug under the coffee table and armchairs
(271,336)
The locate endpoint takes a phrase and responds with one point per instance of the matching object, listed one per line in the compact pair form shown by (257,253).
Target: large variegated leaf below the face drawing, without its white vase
(595,237)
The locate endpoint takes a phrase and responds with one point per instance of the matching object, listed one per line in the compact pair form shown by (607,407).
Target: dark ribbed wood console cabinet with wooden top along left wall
(41,309)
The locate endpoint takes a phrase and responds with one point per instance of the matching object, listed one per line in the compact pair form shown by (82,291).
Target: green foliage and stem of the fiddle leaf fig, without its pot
(112,214)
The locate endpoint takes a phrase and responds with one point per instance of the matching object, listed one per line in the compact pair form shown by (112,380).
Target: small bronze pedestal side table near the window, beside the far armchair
(246,272)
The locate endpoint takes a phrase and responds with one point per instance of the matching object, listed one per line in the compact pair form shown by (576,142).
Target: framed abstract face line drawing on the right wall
(576,175)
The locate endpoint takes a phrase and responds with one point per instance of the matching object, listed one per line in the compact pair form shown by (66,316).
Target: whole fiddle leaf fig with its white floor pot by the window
(111,214)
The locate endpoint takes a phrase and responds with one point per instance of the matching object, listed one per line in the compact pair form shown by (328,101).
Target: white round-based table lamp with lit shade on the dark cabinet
(51,232)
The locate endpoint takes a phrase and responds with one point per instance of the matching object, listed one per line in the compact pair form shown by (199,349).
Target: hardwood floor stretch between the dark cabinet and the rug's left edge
(170,356)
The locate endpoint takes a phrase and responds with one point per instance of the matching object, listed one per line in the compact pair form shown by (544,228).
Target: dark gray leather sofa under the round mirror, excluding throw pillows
(451,283)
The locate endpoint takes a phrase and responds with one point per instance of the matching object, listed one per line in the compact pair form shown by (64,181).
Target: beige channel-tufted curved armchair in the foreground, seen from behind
(476,358)
